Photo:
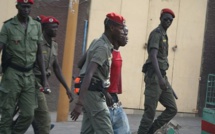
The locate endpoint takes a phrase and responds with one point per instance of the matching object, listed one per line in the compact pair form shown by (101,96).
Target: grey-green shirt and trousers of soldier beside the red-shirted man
(96,116)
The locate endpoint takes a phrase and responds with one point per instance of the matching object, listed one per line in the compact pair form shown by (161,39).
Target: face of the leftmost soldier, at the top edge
(24,9)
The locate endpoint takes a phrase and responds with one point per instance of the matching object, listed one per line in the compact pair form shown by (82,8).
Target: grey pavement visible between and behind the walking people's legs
(190,124)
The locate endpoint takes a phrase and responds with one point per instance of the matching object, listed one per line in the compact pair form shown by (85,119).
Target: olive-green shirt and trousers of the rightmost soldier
(153,93)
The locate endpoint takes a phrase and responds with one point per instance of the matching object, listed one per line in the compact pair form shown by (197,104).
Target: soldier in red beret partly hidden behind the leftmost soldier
(42,120)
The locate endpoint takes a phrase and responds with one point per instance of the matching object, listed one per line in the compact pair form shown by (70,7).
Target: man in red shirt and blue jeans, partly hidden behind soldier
(118,117)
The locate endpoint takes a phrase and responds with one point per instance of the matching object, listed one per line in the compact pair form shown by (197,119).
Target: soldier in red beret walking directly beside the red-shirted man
(95,73)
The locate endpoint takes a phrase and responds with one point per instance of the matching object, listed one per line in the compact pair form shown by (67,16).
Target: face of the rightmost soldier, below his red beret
(166,20)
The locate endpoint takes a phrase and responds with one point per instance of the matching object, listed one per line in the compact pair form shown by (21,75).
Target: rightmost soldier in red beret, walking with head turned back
(157,87)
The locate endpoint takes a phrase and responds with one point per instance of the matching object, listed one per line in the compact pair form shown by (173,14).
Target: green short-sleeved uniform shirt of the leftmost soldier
(21,44)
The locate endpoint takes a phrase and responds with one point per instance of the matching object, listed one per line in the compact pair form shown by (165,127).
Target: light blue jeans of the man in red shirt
(119,121)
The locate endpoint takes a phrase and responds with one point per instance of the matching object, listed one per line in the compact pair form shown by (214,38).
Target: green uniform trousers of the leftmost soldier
(17,89)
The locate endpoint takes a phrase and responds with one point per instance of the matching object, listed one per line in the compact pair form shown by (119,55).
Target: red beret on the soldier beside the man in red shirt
(116,18)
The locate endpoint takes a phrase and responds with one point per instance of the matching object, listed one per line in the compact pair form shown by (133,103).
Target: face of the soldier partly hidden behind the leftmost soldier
(51,29)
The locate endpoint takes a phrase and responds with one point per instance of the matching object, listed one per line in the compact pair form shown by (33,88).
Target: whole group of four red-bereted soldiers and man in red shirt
(29,51)
